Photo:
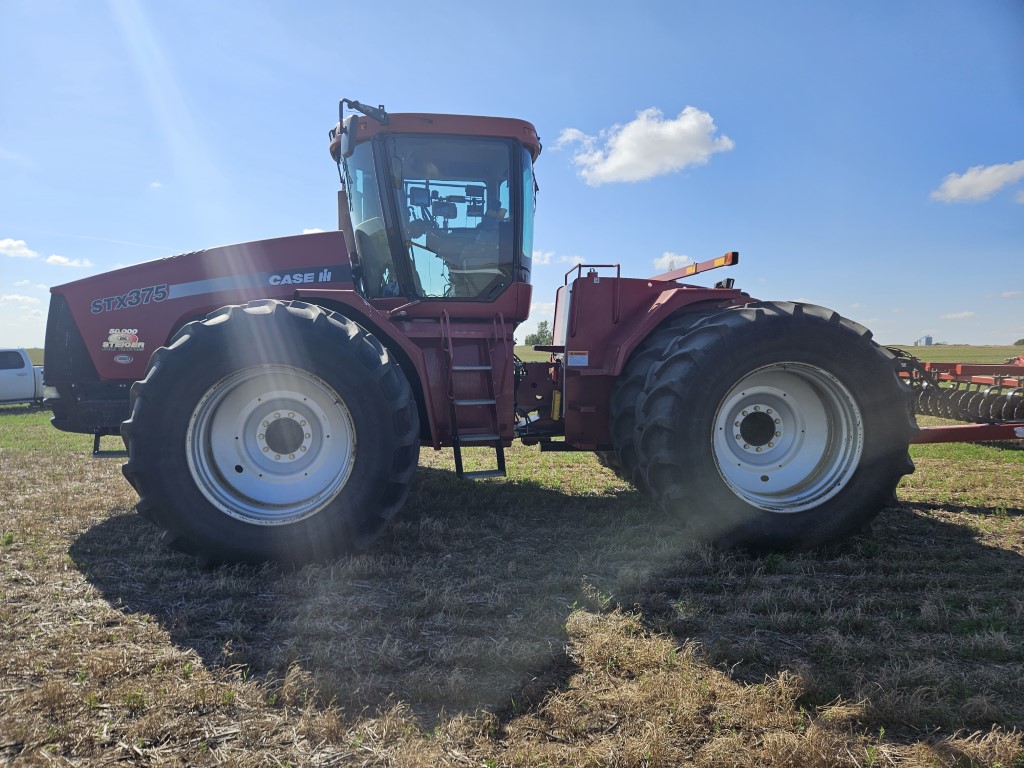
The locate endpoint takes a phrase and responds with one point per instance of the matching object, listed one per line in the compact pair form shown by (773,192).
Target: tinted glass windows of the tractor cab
(463,217)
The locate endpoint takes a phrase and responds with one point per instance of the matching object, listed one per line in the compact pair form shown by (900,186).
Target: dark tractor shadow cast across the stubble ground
(462,606)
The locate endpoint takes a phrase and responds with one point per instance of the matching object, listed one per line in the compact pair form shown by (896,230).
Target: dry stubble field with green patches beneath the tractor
(553,618)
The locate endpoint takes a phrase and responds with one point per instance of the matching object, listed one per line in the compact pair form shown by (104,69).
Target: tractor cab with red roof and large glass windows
(436,206)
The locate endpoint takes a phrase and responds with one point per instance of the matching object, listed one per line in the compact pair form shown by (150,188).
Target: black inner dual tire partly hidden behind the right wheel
(624,461)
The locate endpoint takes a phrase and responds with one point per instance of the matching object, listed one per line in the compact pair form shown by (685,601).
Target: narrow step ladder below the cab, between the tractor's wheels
(459,372)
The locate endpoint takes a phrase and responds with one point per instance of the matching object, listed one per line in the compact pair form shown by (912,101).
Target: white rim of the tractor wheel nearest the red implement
(788,438)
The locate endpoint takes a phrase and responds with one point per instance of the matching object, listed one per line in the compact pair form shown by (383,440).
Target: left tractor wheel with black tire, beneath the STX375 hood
(272,432)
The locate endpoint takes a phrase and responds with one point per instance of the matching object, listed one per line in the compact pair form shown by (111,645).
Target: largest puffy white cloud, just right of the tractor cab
(650,146)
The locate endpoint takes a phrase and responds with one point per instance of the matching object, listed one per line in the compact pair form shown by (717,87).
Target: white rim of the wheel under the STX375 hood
(271,445)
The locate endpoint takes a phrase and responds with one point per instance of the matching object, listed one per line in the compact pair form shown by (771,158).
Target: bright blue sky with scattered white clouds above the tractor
(865,156)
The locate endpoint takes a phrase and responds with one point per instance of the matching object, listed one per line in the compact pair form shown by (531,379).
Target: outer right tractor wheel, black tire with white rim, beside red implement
(775,426)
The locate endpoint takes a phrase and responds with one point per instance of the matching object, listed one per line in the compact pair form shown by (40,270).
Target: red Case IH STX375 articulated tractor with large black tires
(274,396)
